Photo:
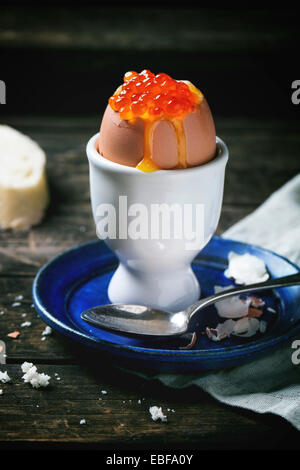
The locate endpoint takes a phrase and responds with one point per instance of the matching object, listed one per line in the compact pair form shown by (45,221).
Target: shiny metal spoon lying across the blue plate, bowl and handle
(152,322)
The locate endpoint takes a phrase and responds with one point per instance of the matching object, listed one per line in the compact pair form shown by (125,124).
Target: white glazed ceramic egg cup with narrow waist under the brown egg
(156,272)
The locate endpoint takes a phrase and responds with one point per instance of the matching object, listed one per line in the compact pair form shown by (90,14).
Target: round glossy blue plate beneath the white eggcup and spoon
(78,279)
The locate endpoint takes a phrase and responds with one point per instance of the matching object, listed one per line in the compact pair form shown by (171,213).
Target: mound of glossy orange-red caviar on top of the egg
(154,97)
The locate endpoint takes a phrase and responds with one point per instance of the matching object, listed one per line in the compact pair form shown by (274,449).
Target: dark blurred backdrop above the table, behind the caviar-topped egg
(69,59)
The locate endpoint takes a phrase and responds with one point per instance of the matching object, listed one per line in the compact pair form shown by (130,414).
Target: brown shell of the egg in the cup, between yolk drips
(123,142)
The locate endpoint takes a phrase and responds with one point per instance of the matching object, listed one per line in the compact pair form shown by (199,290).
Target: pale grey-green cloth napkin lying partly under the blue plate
(270,384)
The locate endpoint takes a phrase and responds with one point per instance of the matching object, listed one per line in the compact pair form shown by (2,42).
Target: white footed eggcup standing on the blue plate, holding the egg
(155,223)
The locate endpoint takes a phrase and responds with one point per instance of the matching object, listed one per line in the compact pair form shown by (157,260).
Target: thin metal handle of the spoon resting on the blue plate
(285,281)
